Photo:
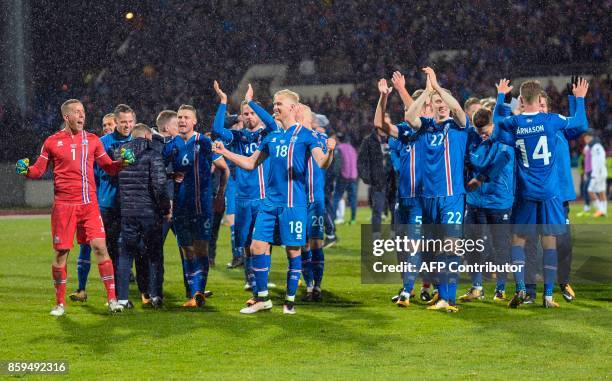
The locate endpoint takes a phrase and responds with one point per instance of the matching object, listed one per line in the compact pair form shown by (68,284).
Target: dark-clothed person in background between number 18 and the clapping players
(374,169)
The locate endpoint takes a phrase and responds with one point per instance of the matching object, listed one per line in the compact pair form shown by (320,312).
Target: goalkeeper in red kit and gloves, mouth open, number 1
(71,153)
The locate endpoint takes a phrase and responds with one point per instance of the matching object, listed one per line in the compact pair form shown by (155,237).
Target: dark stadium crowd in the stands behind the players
(218,41)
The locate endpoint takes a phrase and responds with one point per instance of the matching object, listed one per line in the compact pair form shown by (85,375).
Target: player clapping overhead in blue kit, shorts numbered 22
(442,140)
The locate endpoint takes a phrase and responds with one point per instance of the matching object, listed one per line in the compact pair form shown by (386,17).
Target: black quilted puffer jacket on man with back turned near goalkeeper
(142,185)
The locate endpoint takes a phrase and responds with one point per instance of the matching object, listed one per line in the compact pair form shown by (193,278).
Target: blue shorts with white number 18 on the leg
(289,223)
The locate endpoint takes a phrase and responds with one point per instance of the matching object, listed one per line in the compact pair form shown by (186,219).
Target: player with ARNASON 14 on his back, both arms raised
(533,134)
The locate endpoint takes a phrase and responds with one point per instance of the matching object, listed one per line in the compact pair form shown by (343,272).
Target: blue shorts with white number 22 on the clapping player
(444,211)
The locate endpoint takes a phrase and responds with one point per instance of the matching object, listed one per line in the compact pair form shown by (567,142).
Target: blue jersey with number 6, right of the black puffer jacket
(193,158)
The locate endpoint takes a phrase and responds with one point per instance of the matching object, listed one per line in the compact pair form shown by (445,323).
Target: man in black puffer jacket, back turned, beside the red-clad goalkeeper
(144,204)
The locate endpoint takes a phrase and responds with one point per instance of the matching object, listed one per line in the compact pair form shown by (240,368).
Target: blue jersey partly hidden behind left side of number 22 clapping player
(410,165)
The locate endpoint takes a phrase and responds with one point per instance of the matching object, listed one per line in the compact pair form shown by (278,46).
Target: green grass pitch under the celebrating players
(356,333)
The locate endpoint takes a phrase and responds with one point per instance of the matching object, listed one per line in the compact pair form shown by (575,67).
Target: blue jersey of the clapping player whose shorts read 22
(442,147)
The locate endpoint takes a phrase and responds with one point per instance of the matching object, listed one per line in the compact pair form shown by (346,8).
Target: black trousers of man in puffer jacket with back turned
(141,238)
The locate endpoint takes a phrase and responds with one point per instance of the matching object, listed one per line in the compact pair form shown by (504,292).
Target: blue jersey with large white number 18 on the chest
(288,152)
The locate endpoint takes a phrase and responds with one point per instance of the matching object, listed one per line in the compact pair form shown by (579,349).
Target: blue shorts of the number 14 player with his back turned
(545,217)
